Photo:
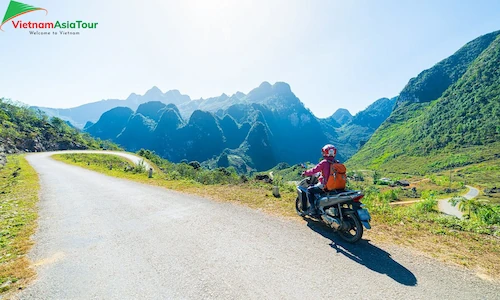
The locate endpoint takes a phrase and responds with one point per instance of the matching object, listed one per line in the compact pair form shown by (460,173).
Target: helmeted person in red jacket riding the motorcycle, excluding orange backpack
(329,151)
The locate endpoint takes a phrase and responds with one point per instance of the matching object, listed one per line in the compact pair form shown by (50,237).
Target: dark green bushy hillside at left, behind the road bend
(25,130)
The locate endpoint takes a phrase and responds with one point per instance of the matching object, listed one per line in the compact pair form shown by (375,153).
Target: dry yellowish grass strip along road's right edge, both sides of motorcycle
(474,251)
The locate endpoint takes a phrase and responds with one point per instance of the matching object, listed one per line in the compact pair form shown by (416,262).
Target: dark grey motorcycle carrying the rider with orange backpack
(340,210)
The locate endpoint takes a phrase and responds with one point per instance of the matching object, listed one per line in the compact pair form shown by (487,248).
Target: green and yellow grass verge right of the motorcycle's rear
(466,242)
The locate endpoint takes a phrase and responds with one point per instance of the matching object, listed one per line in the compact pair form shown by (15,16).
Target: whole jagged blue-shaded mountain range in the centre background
(267,126)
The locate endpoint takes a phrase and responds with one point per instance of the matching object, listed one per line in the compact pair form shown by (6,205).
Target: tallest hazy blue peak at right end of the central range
(294,132)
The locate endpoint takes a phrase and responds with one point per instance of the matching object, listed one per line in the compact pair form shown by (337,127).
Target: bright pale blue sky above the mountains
(334,54)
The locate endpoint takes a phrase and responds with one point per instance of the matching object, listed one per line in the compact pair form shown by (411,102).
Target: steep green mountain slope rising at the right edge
(448,116)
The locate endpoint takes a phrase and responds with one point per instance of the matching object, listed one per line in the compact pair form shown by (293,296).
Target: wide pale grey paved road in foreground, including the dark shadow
(106,238)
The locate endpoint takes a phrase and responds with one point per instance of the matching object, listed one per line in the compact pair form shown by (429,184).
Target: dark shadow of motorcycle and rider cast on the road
(367,254)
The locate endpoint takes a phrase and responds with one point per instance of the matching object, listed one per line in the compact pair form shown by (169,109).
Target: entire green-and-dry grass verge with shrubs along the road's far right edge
(418,226)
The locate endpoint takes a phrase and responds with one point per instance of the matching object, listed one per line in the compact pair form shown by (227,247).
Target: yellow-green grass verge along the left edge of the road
(18,200)
